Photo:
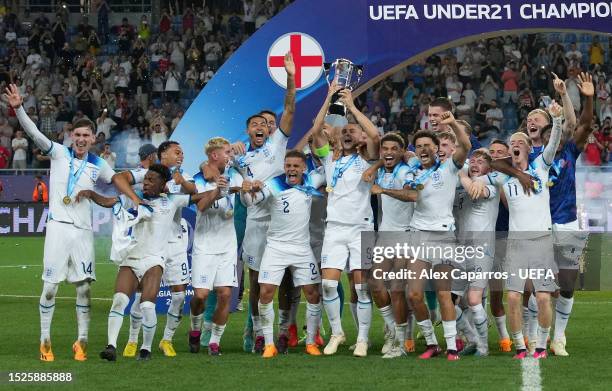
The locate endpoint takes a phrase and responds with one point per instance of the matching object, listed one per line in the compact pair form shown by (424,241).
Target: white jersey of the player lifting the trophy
(349,201)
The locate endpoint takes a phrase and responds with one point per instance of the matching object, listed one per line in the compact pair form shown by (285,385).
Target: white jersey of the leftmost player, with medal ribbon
(96,169)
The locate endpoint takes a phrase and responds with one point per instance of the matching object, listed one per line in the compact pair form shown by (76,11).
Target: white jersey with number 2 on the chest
(290,211)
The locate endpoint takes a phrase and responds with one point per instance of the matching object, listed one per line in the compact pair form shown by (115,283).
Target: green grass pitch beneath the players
(588,334)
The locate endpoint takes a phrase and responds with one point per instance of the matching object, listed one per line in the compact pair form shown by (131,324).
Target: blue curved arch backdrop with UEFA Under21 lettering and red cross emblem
(379,34)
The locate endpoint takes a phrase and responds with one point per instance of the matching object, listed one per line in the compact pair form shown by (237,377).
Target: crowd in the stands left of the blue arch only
(134,81)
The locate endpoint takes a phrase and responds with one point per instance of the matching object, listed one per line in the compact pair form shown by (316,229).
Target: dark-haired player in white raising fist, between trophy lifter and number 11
(433,223)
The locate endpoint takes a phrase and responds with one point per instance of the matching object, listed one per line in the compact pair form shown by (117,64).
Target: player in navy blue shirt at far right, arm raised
(569,241)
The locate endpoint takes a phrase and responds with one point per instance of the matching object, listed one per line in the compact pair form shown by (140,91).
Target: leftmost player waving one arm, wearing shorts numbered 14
(69,252)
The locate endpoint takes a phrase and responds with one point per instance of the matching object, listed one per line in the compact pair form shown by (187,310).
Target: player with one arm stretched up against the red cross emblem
(261,162)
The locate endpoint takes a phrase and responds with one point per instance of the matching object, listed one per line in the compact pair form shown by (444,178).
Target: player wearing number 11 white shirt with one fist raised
(529,240)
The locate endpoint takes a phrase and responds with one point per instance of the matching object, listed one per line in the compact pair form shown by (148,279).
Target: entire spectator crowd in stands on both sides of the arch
(136,81)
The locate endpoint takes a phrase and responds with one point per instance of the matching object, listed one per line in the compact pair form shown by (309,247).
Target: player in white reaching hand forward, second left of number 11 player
(476,228)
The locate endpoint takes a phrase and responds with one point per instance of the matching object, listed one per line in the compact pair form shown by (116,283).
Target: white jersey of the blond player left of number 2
(214,230)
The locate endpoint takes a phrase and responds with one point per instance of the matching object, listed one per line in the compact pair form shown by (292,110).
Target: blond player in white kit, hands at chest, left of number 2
(213,263)
